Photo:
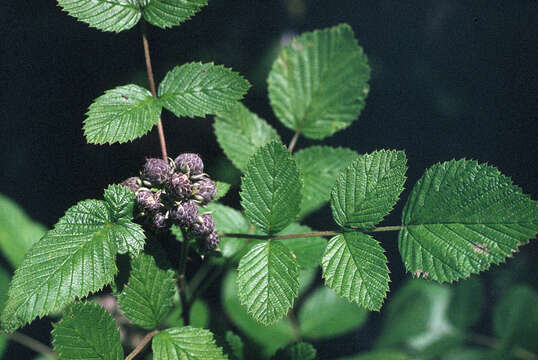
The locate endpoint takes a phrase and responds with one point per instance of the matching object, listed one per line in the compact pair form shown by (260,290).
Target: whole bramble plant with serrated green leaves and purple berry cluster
(460,218)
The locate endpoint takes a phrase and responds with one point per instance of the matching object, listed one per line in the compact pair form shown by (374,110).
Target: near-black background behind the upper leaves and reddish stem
(450,79)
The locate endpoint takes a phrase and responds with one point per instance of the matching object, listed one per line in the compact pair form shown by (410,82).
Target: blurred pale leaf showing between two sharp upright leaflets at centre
(319,166)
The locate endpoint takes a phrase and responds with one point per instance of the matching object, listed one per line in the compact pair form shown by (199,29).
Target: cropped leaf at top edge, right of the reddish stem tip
(168,13)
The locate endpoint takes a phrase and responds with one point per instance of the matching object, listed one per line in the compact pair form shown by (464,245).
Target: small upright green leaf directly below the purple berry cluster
(148,296)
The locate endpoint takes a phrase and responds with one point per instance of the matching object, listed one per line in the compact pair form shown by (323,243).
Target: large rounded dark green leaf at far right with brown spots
(460,218)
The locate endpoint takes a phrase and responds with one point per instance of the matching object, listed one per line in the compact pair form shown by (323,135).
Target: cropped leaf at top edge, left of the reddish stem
(106,15)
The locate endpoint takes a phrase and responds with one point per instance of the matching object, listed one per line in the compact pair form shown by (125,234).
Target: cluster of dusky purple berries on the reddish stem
(170,192)
